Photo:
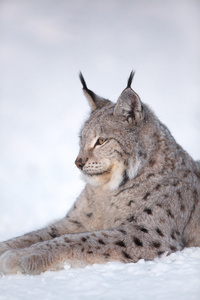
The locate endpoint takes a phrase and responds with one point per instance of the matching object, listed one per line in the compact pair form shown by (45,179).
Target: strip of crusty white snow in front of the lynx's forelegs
(172,277)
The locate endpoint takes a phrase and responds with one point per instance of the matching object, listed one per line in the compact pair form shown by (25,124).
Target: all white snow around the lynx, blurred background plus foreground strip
(44,44)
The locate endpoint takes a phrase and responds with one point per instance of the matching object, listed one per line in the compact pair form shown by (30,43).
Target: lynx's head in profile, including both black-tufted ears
(109,149)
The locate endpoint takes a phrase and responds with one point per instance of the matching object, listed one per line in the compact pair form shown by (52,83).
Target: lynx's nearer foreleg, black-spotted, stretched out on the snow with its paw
(82,249)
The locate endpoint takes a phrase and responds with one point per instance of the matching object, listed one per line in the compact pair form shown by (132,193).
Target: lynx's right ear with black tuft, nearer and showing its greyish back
(129,105)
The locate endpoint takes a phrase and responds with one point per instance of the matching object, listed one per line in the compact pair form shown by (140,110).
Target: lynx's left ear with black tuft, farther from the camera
(94,100)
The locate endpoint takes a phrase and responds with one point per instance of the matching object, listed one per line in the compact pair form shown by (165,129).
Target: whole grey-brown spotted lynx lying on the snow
(141,199)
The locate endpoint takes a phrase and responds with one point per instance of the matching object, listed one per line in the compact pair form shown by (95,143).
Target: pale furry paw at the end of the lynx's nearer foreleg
(13,262)
